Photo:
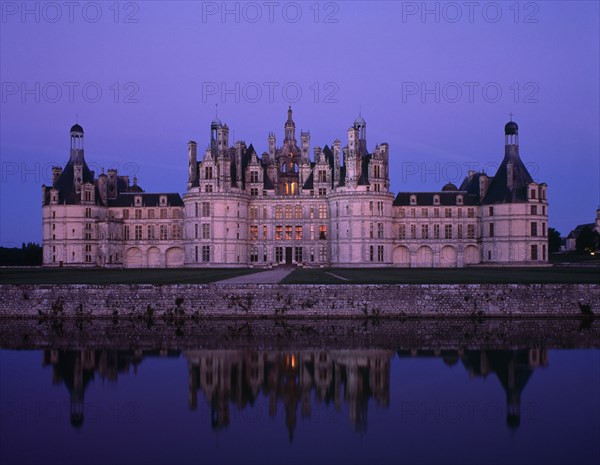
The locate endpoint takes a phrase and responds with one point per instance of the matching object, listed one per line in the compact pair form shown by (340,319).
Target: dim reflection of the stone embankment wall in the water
(295,334)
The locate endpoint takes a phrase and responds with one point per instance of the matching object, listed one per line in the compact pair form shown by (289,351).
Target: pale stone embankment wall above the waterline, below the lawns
(299,301)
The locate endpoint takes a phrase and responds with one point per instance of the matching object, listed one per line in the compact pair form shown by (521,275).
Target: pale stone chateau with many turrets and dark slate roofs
(282,207)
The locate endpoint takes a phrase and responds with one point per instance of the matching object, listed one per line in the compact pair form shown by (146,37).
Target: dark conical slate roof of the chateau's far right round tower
(499,192)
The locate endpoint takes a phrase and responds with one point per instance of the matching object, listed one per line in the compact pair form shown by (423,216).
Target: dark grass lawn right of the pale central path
(574,275)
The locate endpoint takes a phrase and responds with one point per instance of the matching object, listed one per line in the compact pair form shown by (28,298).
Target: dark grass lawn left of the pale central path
(118,276)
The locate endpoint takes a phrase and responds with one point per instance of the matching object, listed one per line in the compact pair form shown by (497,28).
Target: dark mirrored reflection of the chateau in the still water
(234,379)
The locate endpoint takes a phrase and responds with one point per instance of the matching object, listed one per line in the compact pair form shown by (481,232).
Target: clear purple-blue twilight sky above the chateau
(381,56)
